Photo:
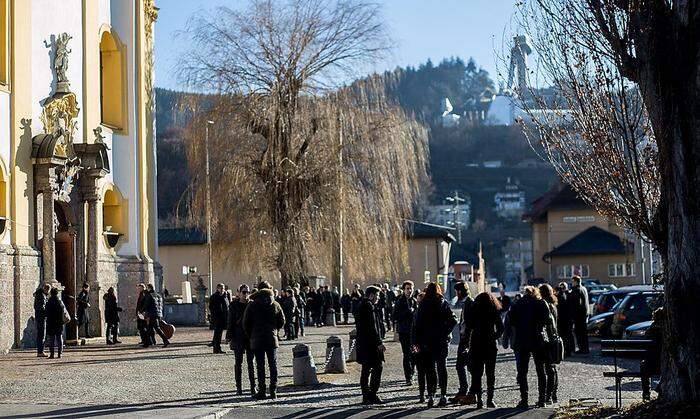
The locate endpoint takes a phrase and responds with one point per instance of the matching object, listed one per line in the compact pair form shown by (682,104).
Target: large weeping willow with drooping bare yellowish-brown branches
(297,166)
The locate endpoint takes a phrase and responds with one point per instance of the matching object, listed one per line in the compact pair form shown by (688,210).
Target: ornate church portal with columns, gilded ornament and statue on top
(66,180)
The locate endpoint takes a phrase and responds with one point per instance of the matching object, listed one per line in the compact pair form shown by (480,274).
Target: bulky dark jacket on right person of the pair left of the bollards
(262,319)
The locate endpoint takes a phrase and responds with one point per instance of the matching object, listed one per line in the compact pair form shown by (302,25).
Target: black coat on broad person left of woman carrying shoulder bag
(529,318)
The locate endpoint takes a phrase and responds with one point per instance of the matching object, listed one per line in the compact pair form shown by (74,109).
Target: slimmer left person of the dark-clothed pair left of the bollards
(238,340)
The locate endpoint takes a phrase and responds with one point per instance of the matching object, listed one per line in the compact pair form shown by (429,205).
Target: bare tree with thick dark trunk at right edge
(622,129)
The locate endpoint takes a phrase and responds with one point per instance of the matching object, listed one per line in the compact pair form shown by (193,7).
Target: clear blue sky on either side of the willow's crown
(422,29)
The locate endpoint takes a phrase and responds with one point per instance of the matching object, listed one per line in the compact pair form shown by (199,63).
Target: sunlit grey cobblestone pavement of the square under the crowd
(187,380)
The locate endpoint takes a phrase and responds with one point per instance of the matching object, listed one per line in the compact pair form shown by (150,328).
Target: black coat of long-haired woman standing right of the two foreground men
(432,328)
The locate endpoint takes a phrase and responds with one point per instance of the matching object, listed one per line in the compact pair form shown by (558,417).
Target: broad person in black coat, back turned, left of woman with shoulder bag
(528,318)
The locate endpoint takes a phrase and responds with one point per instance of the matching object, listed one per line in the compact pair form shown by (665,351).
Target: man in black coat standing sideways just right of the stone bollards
(369,347)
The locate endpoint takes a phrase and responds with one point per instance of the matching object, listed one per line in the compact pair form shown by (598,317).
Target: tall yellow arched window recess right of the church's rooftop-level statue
(112,82)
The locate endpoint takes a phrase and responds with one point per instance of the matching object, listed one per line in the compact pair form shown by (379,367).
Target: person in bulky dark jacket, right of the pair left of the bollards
(262,319)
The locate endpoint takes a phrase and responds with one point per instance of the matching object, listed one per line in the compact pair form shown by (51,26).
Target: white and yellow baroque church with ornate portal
(77,157)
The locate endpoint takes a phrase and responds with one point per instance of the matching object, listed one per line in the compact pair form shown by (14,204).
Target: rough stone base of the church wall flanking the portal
(20,276)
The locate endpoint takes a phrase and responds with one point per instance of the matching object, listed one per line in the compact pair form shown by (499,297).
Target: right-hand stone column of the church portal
(90,194)
